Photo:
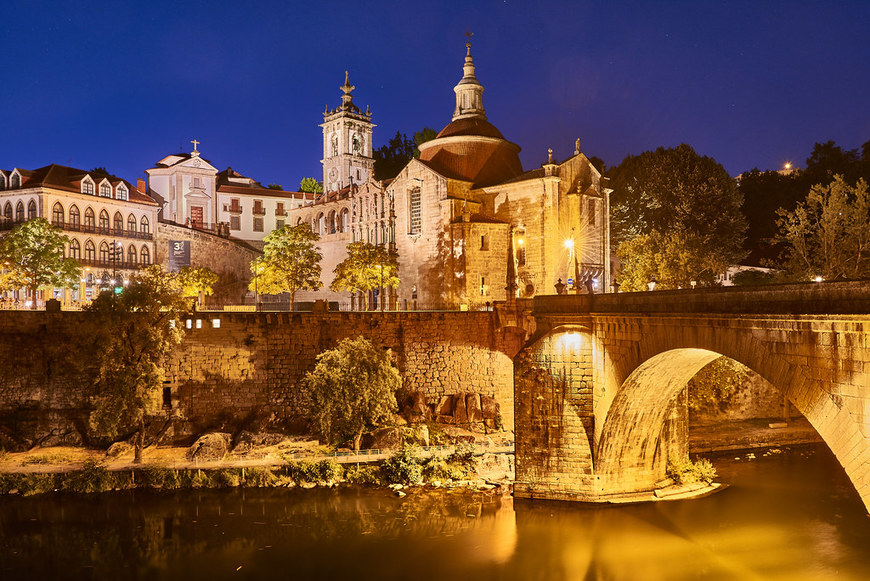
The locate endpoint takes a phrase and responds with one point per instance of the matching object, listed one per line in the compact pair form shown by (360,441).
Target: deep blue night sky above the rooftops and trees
(110,84)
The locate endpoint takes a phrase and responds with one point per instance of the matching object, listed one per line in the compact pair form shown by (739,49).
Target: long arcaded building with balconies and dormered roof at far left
(110,223)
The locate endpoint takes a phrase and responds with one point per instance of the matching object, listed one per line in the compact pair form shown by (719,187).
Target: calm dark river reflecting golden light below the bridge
(787,516)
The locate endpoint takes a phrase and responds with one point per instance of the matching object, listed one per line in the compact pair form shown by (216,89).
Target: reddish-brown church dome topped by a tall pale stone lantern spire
(470,147)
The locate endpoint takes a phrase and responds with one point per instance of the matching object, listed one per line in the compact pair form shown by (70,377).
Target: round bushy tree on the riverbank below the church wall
(352,388)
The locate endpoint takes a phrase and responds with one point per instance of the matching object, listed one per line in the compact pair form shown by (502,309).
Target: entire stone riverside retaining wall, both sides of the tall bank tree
(233,366)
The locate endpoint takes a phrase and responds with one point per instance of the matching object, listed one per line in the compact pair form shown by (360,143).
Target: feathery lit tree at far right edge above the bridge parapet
(827,235)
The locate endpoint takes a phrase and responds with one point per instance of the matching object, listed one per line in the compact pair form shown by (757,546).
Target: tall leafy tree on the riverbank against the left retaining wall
(129,337)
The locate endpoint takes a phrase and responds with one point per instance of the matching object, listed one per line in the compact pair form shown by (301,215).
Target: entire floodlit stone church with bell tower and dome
(469,224)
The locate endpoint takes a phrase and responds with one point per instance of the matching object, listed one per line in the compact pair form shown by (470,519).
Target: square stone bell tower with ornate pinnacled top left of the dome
(347,143)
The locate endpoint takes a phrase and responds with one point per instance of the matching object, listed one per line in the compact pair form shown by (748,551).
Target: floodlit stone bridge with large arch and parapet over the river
(597,387)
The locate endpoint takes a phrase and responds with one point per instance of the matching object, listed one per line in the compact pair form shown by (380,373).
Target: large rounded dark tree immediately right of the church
(687,208)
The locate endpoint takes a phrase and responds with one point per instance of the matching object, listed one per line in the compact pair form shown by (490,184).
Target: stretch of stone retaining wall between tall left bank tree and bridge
(252,362)
